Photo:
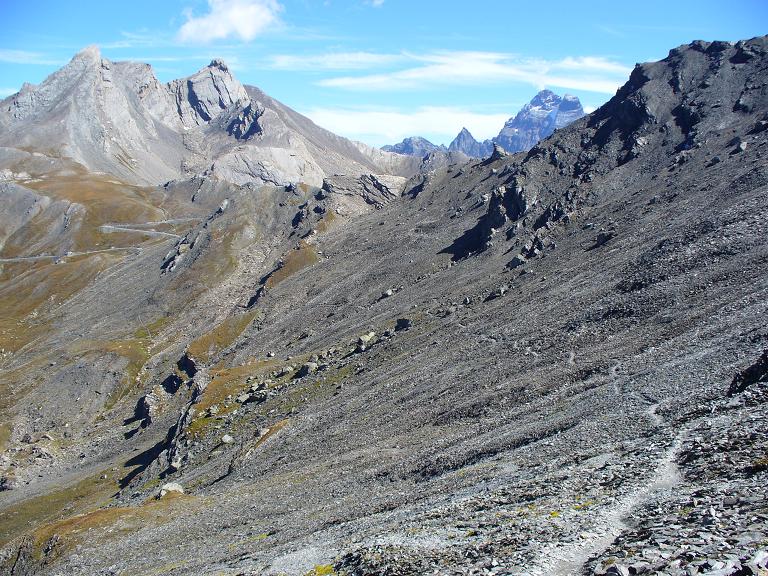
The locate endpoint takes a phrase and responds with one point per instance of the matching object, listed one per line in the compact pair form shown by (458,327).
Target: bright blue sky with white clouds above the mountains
(378,70)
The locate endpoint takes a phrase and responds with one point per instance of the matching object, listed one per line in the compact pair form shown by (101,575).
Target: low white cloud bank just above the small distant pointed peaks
(440,124)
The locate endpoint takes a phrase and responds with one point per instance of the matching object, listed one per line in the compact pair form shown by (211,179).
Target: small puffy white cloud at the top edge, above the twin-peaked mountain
(243,19)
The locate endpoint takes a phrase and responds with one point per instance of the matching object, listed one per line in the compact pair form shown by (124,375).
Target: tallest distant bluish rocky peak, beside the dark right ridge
(538,119)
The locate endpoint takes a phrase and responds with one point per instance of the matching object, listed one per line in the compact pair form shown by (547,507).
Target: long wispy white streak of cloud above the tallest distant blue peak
(590,73)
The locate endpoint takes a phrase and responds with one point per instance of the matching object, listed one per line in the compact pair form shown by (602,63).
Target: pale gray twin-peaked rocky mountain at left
(117,118)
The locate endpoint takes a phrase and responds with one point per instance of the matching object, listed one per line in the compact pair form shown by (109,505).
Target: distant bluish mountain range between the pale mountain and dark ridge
(537,120)
